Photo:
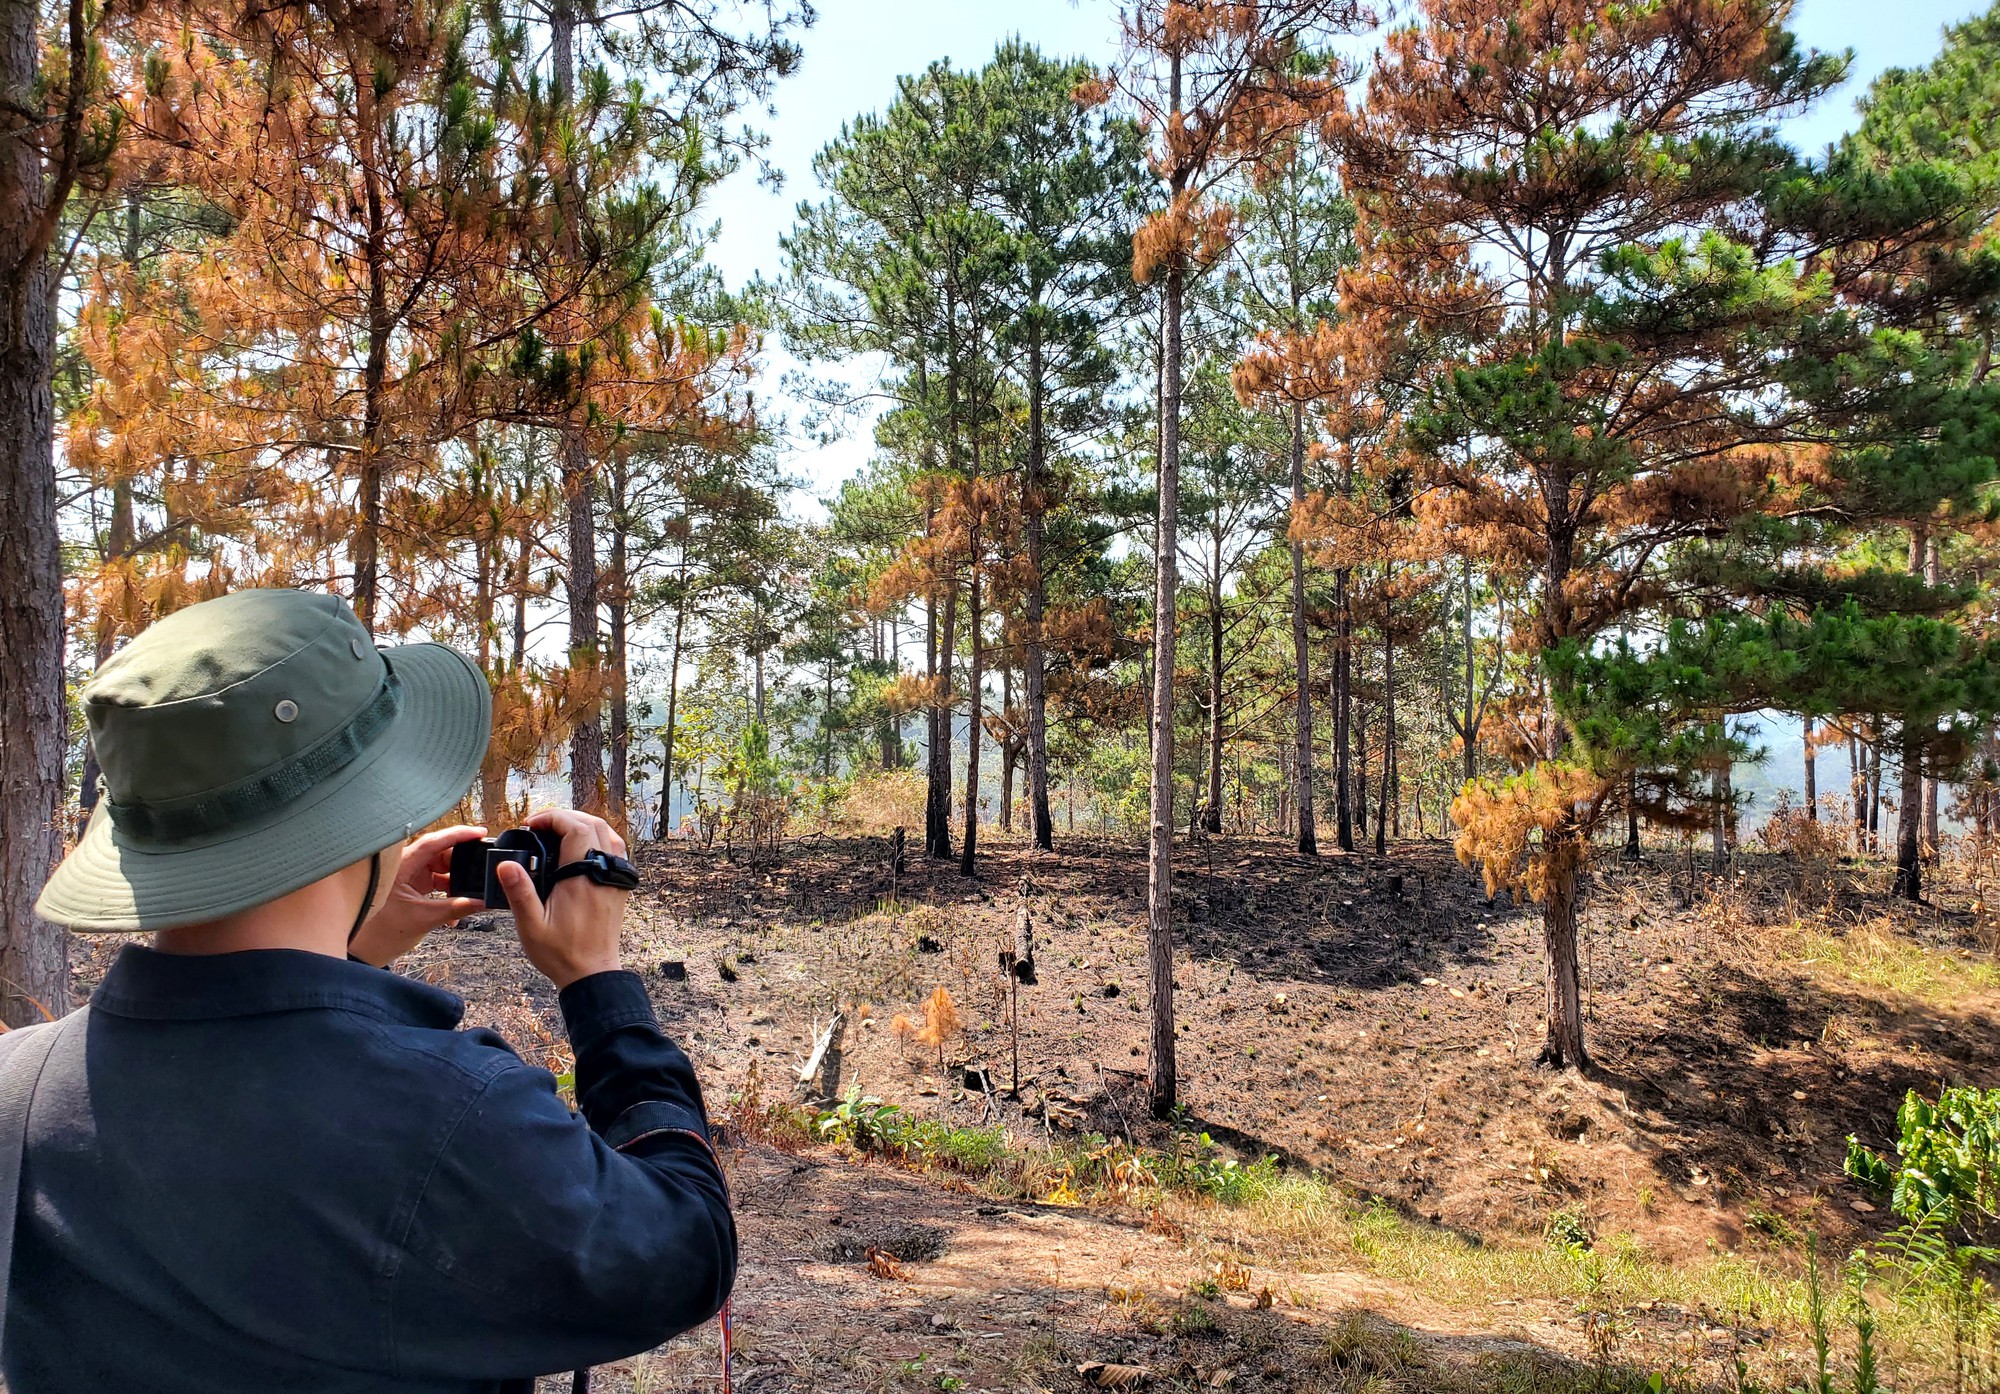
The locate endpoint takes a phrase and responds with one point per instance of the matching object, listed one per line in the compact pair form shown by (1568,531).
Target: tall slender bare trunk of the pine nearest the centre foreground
(1161,1063)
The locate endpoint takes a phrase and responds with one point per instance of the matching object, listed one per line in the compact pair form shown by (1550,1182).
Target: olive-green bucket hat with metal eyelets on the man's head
(255,745)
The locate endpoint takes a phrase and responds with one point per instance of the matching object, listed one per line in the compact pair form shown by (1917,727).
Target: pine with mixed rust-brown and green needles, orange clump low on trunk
(1571,185)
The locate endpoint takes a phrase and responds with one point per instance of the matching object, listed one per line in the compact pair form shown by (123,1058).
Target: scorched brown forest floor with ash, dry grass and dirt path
(1441,1215)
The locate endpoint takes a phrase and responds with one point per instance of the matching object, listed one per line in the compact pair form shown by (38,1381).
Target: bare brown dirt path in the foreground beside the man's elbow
(861,1277)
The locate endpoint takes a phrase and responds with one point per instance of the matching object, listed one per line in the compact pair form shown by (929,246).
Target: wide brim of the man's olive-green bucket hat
(409,779)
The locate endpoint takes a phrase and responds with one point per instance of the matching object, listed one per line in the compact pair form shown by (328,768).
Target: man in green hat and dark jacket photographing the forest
(271,1163)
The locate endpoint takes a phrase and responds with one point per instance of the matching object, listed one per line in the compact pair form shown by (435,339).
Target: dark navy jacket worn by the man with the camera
(277,1171)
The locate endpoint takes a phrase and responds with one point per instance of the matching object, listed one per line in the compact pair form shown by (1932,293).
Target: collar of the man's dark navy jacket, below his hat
(149,985)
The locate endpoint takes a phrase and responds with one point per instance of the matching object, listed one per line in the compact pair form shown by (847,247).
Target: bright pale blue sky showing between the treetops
(857,51)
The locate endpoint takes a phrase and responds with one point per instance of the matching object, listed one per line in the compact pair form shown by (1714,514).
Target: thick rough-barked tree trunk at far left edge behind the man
(35,957)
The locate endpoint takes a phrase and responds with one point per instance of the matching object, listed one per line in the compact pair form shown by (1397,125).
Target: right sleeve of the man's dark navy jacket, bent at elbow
(547,1241)
